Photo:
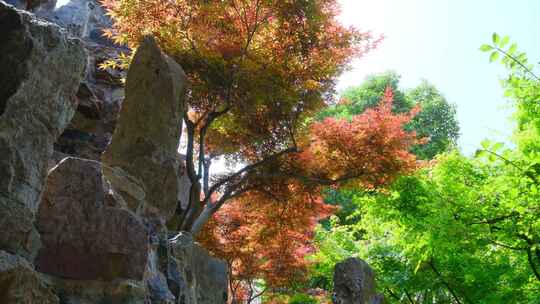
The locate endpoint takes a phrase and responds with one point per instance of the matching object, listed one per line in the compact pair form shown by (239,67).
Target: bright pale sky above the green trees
(438,40)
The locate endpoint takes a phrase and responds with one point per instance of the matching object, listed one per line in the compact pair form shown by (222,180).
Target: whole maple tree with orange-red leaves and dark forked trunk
(259,71)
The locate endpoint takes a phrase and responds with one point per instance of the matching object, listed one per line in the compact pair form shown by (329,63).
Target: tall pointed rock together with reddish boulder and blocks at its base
(103,222)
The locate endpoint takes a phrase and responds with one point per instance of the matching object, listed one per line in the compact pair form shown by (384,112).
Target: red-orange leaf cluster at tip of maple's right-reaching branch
(370,149)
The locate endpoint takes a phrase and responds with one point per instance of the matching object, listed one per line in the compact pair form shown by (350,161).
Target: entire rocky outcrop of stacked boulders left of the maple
(101,224)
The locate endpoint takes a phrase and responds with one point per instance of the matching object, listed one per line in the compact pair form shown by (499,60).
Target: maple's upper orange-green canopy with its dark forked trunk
(257,69)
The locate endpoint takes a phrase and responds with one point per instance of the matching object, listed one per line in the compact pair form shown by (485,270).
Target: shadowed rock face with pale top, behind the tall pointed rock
(101,92)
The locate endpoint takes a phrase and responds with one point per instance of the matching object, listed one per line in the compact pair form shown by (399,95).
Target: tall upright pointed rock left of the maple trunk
(144,145)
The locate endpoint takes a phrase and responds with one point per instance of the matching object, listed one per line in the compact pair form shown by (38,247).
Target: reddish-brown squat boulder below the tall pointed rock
(83,238)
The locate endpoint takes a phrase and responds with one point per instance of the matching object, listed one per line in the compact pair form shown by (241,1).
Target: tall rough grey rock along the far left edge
(41,71)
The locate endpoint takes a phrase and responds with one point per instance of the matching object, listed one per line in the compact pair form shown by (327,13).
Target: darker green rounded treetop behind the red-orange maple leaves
(436,122)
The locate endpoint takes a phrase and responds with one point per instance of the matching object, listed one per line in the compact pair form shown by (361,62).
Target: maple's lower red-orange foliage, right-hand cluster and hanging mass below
(266,233)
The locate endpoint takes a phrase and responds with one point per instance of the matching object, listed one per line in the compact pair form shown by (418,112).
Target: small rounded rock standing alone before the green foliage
(354,283)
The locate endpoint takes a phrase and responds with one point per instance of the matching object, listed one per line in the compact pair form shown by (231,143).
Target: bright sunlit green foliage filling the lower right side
(460,230)
